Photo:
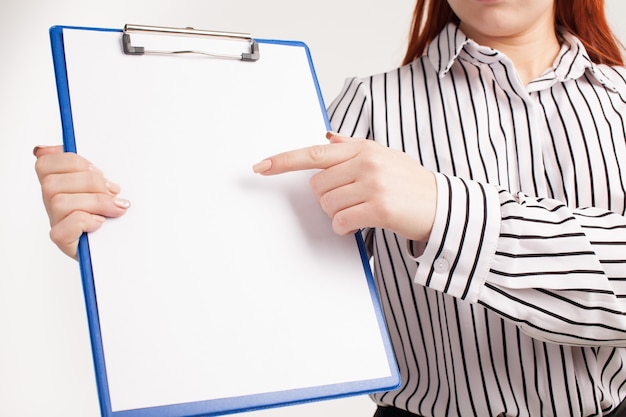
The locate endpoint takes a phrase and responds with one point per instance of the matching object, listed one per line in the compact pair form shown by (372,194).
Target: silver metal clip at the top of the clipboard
(251,55)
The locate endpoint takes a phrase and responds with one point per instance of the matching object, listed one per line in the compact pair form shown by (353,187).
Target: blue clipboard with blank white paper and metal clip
(130,306)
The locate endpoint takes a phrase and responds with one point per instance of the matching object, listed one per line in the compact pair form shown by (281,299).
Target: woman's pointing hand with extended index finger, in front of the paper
(364,184)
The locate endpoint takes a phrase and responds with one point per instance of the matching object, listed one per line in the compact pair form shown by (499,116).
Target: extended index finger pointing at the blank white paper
(312,157)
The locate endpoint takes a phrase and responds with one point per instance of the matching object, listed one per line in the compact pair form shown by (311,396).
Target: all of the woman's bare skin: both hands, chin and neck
(359,183)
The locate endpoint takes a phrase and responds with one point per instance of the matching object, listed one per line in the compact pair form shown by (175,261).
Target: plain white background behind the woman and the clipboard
(45,356)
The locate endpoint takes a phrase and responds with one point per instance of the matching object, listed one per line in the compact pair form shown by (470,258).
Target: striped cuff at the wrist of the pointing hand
(462,244)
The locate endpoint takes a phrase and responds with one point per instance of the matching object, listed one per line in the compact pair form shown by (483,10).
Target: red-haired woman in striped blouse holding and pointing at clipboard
(492,191)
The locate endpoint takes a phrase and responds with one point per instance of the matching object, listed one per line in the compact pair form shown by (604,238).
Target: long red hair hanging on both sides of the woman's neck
(585,19)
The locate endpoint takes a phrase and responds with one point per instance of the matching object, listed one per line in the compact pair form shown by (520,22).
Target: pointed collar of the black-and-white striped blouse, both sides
(572,62)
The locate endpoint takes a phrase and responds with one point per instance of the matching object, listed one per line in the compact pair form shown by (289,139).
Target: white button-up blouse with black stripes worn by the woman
(516,306)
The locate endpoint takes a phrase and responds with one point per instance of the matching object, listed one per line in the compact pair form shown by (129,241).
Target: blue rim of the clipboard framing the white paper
(226,405)
